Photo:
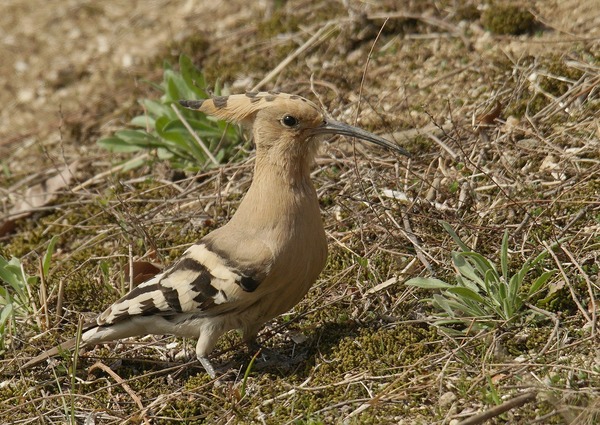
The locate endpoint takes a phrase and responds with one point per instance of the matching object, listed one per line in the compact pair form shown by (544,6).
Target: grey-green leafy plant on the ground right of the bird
(481,295)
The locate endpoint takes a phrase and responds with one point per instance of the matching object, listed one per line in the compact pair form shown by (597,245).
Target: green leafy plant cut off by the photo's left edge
(15,293)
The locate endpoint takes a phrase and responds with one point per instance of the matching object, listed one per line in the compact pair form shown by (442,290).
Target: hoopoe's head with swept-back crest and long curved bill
(284,125)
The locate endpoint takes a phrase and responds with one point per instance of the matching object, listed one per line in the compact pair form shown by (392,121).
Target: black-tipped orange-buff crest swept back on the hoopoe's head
(242,107)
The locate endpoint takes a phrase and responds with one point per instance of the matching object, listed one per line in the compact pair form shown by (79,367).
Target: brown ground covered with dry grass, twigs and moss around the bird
(72,72)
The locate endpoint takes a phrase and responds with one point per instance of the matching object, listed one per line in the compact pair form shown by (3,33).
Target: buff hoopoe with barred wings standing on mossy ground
(263,261)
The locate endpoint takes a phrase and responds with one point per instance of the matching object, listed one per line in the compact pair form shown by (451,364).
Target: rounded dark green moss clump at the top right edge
(508,19)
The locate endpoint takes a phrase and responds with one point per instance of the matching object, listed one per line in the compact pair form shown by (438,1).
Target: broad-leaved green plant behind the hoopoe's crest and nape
(188,139)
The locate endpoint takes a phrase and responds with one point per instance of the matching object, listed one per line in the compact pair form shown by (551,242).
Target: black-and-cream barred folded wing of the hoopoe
(209,277)
